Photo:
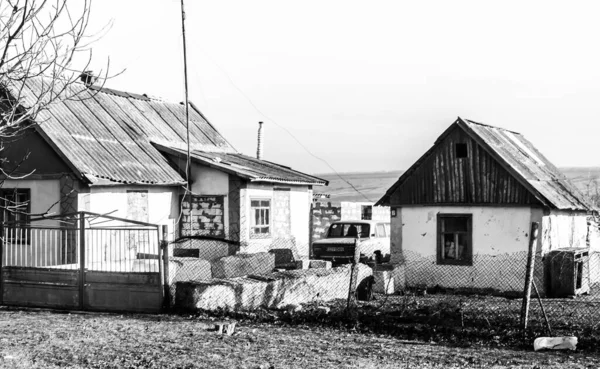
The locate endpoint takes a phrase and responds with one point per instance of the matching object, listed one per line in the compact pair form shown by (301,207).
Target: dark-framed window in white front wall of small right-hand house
(454,239)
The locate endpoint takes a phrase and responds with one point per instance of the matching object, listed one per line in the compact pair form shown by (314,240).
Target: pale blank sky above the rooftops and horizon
(366,85)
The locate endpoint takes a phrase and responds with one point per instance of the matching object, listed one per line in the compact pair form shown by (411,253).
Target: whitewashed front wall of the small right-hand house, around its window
(500,243)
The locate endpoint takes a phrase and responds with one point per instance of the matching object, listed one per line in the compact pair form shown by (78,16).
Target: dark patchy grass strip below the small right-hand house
(456,320)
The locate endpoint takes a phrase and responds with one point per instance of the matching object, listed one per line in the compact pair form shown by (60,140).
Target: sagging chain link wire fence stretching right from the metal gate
(416,298)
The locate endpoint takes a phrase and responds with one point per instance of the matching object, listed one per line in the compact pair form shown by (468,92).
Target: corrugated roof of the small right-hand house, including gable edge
(520,158)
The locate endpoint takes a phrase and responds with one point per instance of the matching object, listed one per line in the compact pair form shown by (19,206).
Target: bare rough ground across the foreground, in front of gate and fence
(44,339)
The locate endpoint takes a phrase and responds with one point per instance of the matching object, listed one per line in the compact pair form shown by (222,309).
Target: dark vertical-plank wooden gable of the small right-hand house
(442,178)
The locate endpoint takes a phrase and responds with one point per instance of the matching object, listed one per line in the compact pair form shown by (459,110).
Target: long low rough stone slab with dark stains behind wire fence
(277,290)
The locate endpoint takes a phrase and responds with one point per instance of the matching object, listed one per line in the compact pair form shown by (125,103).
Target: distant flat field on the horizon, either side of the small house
(371,186)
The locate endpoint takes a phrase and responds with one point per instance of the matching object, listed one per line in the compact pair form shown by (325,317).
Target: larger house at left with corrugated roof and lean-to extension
(124,154)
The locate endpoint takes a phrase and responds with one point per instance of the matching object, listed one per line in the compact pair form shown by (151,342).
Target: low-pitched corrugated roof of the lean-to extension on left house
(246,167)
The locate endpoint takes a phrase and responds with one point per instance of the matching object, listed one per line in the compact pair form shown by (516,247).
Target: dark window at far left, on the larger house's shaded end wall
(16,209)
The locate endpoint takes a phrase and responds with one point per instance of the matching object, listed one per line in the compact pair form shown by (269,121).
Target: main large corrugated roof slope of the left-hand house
(105,134)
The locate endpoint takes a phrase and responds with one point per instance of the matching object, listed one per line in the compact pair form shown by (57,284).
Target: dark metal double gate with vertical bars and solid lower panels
(83,261)
